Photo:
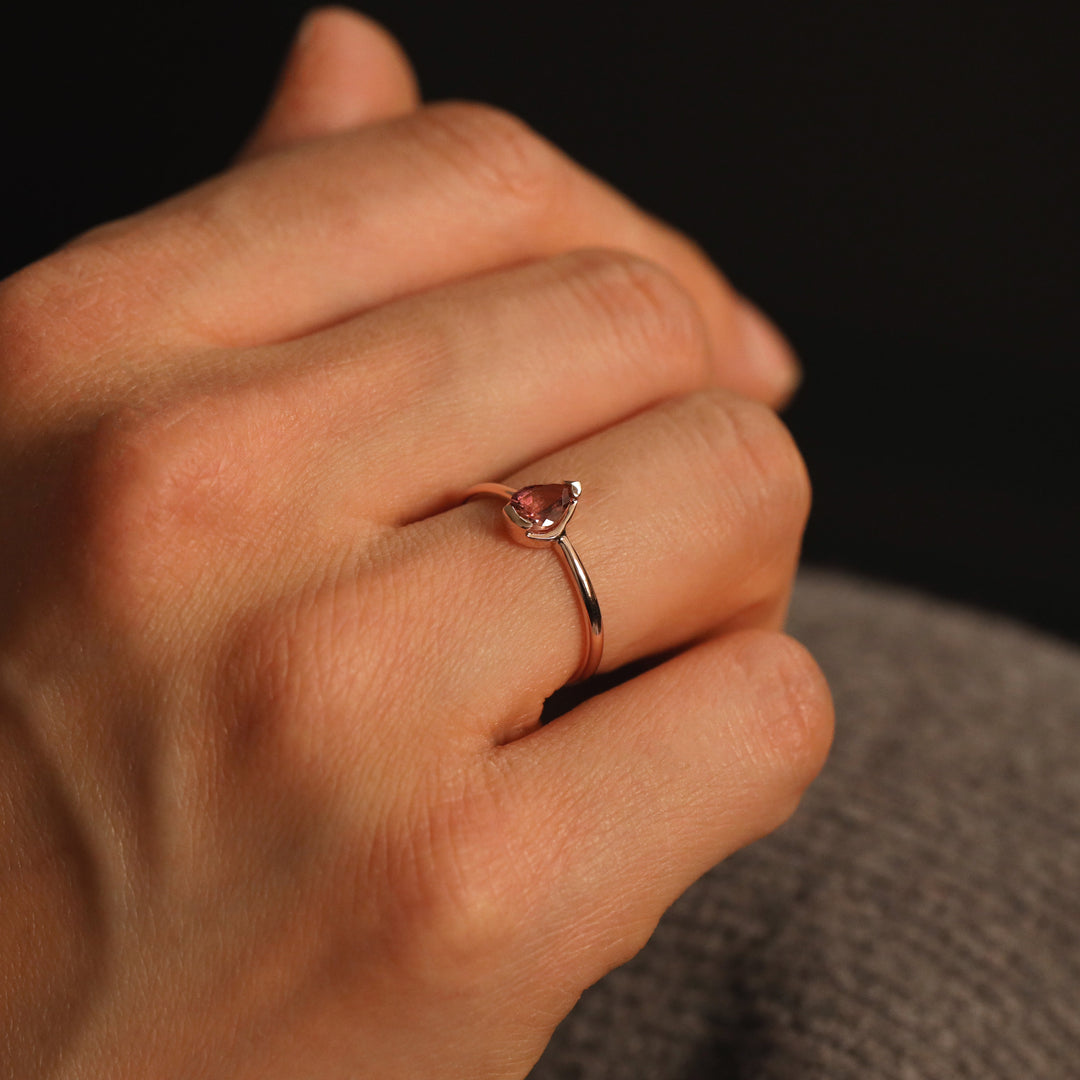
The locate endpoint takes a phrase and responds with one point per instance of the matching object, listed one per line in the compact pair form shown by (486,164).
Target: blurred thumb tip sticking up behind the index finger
(343,71)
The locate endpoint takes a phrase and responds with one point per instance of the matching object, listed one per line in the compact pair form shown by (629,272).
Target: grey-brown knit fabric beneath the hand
(920,917)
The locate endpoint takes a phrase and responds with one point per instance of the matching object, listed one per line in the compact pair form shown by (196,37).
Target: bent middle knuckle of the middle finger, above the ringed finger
(654,317)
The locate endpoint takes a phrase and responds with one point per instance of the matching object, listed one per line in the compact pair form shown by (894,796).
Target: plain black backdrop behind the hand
(895,182)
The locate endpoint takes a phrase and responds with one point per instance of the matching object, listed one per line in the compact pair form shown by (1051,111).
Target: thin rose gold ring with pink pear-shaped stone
(538,516)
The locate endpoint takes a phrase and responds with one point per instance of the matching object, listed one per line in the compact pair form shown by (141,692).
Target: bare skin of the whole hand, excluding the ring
(274,796)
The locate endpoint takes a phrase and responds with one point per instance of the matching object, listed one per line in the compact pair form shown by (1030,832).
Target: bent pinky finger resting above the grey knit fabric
(642,790)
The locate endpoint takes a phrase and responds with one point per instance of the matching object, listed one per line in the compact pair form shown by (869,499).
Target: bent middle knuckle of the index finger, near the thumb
(495,152)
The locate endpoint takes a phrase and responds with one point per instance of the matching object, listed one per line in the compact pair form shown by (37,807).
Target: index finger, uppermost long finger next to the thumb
(299,240)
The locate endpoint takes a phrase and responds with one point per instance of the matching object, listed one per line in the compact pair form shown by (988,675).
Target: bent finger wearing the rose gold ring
(691,521)
